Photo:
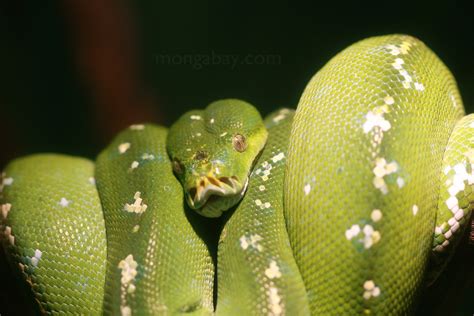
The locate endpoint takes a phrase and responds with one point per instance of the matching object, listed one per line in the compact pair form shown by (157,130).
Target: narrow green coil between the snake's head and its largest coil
(257,274)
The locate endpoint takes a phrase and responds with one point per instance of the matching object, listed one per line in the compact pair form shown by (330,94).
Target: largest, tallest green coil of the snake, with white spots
(362,183)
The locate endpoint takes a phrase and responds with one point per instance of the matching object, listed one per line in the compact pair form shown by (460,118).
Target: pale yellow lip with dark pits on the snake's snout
(208,186)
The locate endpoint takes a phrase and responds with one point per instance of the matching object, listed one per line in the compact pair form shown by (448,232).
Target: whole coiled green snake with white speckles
(349,205)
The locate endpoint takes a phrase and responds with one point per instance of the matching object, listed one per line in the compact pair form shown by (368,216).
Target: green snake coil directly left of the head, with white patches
(157,263)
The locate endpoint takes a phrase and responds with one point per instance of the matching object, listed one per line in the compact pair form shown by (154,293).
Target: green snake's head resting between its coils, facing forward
(213,152)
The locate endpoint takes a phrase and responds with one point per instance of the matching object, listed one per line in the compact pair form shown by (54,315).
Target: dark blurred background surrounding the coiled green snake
(73,73)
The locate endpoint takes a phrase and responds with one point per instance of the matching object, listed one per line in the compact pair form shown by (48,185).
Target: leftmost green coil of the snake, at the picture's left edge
(53,229)
